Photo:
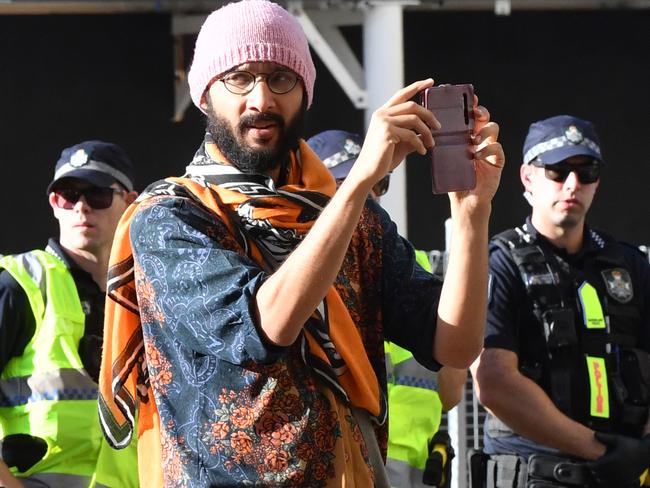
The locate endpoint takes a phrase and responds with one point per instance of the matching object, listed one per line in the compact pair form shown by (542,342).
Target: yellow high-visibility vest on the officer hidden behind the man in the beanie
(415,409)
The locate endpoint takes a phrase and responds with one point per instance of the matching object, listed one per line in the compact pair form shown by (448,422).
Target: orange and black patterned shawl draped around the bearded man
(269,222)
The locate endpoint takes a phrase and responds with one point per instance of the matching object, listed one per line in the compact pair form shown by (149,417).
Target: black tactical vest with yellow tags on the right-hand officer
(593,369)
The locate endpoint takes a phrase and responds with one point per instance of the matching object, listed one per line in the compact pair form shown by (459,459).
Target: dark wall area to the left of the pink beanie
(64,79)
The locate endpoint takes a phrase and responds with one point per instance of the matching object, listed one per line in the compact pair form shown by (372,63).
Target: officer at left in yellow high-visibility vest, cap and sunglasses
(51,331)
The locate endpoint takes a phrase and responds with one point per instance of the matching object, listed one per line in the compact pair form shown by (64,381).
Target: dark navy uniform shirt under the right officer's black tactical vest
(511,324)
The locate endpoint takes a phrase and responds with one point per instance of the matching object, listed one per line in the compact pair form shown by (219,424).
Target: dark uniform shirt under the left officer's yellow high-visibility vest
(17,322)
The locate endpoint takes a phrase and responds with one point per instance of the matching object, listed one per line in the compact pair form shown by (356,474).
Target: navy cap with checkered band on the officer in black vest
(555,139)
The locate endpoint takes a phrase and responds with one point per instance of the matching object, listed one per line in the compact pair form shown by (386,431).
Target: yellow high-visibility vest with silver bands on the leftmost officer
(46,393)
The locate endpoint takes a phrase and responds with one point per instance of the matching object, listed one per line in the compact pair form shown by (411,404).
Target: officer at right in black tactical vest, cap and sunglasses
(565,370)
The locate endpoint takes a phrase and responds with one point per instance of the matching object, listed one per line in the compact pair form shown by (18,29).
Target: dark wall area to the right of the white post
(530,66)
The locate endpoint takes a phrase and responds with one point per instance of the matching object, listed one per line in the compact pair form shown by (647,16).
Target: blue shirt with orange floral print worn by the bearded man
(234,409)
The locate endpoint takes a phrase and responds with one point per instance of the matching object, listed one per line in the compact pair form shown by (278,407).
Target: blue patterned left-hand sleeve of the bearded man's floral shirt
(204,291)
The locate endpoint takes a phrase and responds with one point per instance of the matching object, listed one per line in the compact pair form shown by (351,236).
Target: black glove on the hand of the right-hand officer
(624,461)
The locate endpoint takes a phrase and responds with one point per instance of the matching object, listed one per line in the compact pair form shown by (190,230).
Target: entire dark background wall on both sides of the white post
(64,79)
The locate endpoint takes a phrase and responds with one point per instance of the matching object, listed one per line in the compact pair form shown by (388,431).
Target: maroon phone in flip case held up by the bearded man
(452,161)
